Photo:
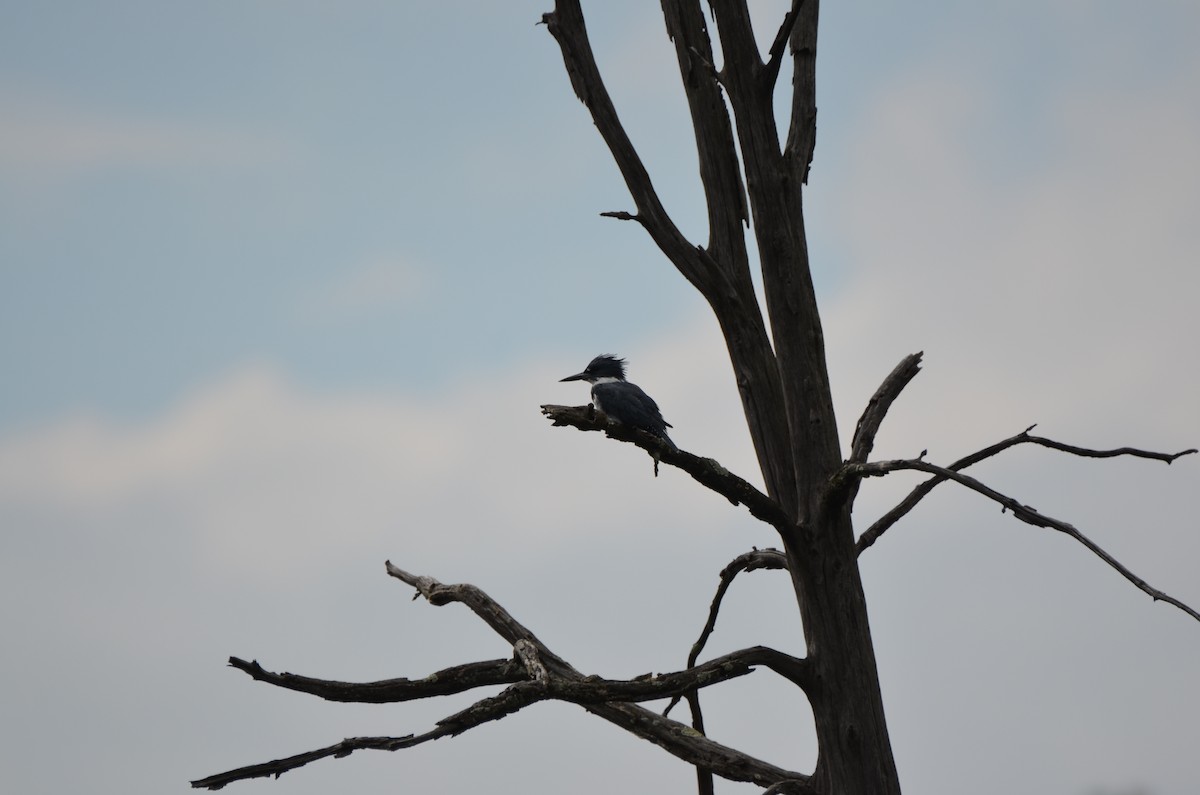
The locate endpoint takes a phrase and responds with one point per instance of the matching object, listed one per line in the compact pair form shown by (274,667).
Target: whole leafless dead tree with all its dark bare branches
(752,176)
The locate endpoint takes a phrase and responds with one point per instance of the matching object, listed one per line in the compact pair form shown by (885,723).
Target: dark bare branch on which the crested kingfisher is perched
(706,471)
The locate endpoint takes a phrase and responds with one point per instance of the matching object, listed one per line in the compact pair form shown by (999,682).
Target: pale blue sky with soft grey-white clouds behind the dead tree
(283,286)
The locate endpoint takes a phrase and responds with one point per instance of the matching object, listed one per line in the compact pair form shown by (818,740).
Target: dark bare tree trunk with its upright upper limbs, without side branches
(785,388)
